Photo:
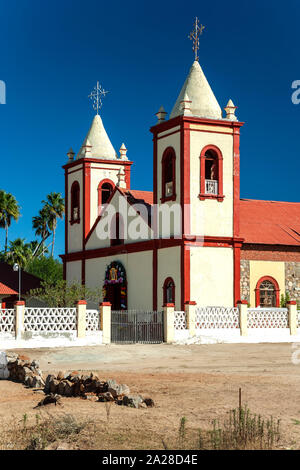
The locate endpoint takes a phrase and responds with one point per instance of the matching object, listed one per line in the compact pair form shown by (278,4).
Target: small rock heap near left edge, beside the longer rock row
(22,369)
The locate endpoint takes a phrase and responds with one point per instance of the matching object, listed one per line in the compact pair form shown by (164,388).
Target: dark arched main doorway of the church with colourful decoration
(115,286)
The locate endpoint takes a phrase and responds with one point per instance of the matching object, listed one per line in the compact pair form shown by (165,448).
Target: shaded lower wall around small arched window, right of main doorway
(168,265)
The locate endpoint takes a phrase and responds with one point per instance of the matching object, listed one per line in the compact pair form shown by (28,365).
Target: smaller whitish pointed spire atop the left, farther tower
(99,142)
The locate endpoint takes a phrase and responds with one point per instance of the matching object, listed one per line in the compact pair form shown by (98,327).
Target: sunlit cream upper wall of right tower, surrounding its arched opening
(211,217)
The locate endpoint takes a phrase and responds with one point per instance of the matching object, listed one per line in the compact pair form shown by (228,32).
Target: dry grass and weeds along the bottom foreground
(239,430)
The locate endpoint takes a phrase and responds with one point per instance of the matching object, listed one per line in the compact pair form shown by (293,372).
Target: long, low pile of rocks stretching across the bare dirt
(90,387)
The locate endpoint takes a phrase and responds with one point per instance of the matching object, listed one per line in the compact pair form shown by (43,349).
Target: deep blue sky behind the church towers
(53,53)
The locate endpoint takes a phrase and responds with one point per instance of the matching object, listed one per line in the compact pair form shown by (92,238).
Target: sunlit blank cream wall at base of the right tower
(212,276)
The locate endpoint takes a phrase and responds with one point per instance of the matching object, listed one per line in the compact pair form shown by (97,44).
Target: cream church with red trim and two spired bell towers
(118,239)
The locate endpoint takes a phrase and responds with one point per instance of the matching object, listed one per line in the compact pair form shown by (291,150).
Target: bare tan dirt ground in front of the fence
(199,382)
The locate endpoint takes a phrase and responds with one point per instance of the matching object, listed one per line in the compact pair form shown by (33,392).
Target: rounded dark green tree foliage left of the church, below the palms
(48,269)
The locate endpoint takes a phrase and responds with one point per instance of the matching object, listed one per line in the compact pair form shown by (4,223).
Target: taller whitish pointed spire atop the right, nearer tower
(203,100)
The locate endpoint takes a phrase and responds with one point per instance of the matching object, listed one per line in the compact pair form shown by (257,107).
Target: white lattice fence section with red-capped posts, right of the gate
(238,324)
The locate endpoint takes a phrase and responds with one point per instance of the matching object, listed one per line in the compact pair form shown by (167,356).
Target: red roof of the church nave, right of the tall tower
(270,222)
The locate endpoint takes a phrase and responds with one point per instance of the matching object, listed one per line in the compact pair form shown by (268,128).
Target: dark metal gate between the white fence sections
(131,326)
